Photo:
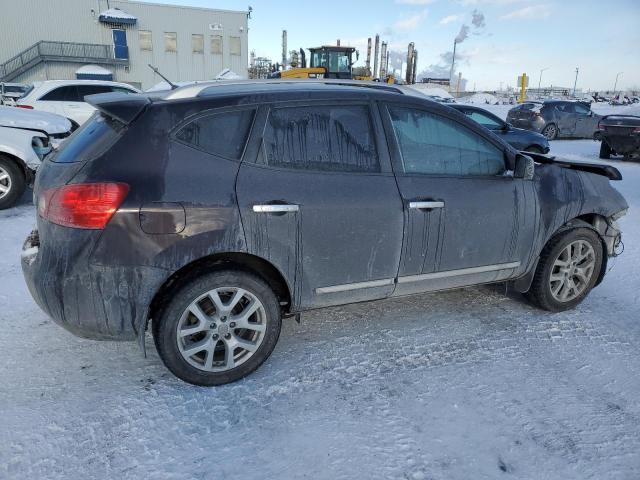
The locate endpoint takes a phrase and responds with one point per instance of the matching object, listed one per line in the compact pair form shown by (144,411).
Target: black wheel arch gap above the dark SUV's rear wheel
(246,262)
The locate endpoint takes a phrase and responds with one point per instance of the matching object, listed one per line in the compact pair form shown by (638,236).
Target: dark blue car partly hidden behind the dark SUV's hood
(516,137)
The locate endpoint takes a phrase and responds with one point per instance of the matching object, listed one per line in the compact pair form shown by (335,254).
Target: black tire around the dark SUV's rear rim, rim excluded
(165,327)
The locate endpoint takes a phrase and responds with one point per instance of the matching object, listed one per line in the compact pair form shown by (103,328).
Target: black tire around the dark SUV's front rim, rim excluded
(540,292)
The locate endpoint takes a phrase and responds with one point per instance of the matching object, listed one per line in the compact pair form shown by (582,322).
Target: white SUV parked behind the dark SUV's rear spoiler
(66,97)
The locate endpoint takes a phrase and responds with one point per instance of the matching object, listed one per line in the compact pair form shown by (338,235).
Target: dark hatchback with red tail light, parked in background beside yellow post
(555,118)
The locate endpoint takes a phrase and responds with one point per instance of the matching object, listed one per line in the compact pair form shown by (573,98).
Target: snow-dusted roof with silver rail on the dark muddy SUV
(277,85)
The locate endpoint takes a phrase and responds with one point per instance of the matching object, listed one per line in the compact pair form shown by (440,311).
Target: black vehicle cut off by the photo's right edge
(619,135)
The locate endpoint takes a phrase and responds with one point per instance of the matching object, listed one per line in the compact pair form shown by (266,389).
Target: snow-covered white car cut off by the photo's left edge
(26,136)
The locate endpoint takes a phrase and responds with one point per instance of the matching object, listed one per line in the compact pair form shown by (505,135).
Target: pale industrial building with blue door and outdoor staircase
(68,39)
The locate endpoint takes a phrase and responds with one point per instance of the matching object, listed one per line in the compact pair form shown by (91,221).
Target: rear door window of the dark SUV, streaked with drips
(323,138)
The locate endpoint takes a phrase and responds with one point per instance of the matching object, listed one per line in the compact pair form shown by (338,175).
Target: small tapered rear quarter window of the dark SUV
(223,134)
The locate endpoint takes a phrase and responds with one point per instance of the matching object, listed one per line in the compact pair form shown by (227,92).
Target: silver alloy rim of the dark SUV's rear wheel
(221,329)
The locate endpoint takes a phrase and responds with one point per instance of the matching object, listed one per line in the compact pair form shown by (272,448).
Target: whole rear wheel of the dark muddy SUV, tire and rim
(218,328)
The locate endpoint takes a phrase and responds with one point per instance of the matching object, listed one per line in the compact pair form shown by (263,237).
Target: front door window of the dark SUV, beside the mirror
(434,145)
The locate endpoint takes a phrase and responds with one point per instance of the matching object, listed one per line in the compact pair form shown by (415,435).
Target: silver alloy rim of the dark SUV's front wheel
(572,271)
